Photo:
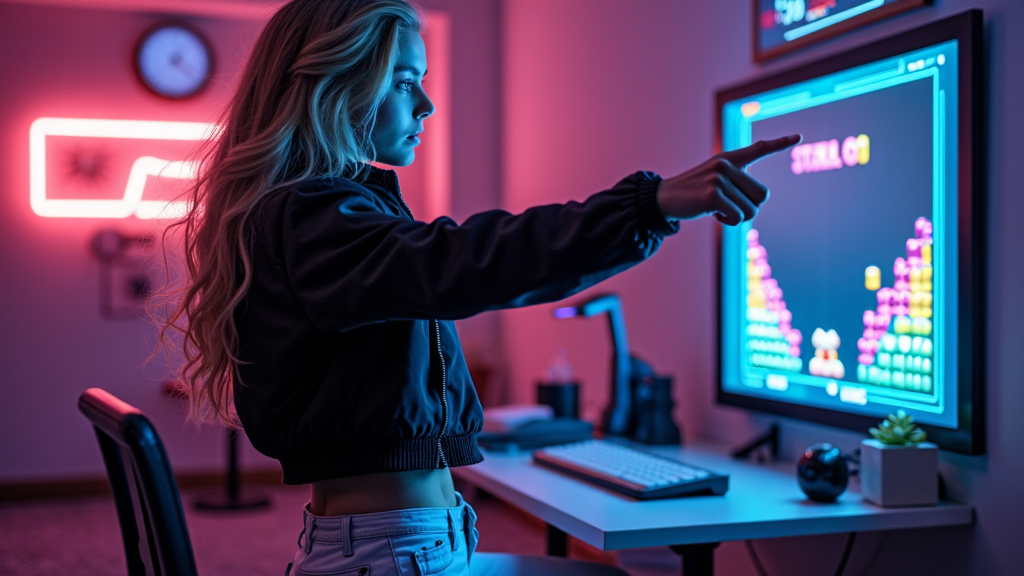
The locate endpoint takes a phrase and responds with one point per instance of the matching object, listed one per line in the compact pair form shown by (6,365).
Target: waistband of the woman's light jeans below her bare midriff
(346,529)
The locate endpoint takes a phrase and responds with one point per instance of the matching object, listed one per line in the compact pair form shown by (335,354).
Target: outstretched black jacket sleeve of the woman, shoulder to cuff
(350,264)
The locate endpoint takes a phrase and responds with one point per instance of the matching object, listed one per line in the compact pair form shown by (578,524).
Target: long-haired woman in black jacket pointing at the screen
(319,313)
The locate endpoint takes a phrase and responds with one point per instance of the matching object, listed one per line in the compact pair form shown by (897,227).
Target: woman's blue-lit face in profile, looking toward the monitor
(400,120)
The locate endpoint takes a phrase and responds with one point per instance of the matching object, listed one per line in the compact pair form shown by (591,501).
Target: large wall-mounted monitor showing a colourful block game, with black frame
(858,290)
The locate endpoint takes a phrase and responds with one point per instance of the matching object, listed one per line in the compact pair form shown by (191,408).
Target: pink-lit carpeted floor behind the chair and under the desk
(81,538)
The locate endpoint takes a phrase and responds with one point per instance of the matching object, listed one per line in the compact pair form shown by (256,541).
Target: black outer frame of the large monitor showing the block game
(969,437)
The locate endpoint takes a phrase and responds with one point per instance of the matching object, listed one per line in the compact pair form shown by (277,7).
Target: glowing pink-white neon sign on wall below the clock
(125,143)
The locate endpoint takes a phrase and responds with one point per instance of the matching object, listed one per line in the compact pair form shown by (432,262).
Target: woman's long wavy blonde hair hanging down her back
(306,107)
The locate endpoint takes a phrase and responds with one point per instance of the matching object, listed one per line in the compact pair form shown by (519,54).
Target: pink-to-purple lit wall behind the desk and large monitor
(598,90)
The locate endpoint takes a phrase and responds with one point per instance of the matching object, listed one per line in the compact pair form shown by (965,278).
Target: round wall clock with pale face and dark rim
(174,62)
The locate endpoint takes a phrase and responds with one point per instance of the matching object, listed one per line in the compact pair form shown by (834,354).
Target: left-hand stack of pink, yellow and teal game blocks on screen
(772,340)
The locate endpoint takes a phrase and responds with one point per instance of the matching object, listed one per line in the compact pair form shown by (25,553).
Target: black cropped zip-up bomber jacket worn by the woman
(351,362)
